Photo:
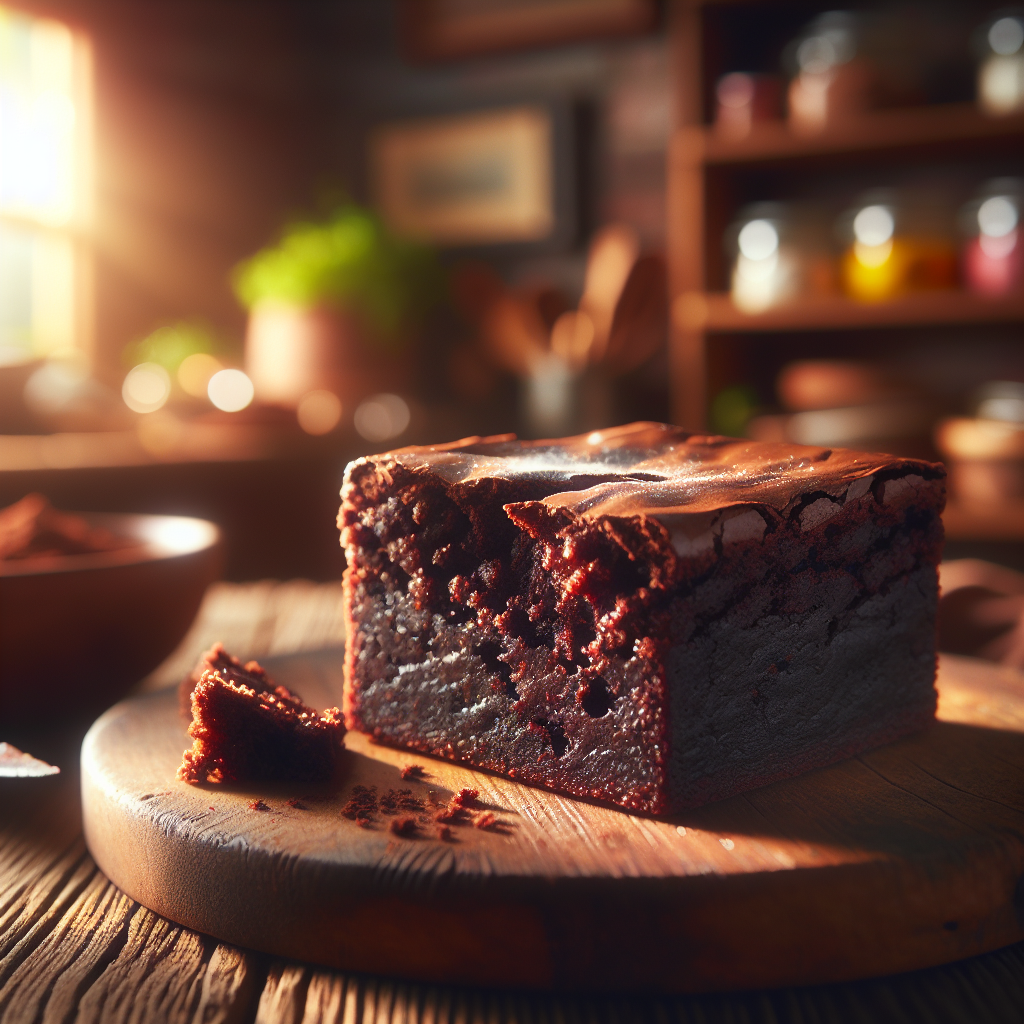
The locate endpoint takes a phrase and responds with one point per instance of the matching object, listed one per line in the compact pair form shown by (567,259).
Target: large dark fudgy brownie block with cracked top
(641,616)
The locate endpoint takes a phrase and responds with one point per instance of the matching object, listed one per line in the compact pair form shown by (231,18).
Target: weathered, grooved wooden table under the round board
(75,949)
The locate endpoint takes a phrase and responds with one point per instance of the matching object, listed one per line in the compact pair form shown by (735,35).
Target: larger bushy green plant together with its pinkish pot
(335,306)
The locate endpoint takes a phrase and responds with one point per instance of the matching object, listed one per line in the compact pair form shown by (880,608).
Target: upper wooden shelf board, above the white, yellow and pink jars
(921,130)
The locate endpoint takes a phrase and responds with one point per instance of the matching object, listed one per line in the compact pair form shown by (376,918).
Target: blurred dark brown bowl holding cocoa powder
(78,631)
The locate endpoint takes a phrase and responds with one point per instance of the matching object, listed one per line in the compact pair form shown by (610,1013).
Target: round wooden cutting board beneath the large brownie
(909,857)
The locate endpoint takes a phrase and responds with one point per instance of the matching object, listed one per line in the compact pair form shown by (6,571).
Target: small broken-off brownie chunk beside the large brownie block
(246,730)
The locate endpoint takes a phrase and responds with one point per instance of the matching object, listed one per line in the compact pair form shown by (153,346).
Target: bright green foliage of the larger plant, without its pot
(352,262)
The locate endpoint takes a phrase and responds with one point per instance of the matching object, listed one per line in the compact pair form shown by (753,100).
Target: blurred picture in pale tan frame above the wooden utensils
(485,179)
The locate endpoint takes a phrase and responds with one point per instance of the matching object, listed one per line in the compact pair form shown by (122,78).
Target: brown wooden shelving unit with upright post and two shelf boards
(711,177)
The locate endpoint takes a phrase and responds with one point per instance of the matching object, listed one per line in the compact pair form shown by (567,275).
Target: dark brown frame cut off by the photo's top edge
(440,30)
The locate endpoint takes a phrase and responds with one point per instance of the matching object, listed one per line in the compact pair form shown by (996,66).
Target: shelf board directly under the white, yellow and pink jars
(716,313)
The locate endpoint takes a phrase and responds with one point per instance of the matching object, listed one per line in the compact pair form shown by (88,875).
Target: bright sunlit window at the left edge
(45,189)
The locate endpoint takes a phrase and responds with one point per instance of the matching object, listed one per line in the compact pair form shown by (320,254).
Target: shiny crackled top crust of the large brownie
(655,468)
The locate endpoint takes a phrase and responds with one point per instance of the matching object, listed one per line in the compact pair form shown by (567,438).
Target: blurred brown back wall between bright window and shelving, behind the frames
(216,121)
